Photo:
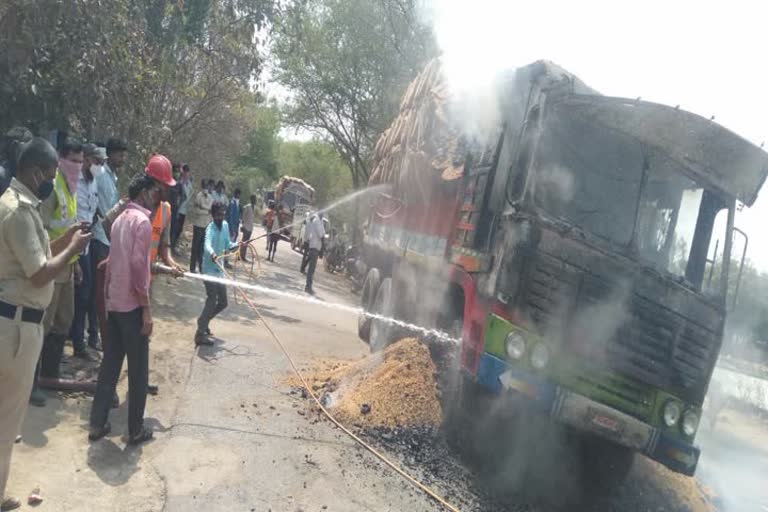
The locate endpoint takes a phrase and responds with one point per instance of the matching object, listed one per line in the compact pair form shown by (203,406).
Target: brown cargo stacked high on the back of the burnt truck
(421,147)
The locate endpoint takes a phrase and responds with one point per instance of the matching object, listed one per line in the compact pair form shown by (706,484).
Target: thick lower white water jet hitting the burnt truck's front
(433,334)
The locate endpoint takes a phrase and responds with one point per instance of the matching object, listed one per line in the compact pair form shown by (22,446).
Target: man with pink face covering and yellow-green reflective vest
(59,213)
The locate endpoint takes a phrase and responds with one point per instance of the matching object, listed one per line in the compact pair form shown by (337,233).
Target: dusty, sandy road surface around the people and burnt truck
(231,435)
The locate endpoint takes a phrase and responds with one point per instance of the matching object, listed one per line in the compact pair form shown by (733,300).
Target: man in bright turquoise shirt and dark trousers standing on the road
(217,242)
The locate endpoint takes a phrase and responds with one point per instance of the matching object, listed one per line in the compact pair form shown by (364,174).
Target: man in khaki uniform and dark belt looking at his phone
(28,265)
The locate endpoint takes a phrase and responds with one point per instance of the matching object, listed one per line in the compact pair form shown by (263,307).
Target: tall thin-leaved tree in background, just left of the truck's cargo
(346,64)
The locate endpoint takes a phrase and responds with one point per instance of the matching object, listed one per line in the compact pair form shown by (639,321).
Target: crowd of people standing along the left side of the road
(76,263)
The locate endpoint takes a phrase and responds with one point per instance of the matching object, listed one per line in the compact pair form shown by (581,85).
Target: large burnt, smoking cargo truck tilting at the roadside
(578,247)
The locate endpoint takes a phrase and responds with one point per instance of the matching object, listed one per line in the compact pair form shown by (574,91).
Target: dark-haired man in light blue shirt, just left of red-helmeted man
(106,189)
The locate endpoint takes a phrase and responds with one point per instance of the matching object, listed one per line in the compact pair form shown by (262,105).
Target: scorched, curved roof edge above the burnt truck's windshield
(709,152)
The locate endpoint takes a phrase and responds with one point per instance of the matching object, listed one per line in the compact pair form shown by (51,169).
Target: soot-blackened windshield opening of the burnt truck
(629,197)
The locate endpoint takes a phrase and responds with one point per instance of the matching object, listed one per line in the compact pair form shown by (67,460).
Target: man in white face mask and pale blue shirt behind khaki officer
(87,206)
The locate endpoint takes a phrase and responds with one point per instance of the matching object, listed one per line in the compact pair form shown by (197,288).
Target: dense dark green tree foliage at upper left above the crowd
(168,76)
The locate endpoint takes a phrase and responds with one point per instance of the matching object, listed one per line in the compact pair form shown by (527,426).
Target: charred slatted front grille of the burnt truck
(649,342)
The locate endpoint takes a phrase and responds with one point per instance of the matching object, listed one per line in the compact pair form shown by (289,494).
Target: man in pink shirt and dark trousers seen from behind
(129,318)
